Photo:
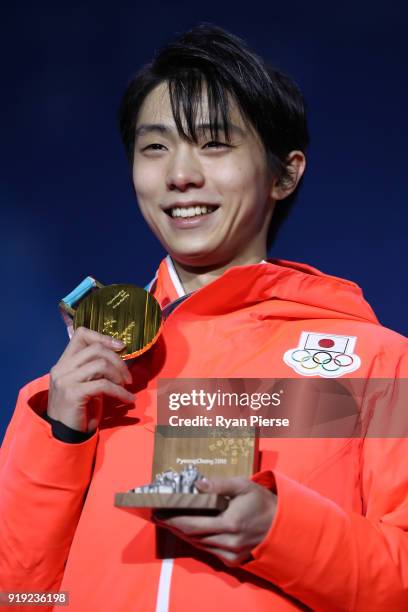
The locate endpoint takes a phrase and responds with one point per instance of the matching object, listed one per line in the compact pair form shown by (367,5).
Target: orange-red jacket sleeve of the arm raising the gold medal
(43,482)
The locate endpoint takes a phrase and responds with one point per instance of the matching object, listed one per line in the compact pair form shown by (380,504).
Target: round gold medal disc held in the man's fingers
(125,312)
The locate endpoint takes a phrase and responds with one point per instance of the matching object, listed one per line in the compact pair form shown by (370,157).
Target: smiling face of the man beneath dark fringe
(208,203)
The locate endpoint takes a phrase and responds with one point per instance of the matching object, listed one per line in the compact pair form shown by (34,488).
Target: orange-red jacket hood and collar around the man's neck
(290,290)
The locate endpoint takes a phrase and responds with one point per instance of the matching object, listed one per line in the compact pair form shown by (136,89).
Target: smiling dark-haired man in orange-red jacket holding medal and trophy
(217,142)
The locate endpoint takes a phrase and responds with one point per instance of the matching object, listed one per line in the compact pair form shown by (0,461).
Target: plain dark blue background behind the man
(67,206)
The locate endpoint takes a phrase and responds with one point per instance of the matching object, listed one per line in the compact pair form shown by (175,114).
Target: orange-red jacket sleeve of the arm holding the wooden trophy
(334,560)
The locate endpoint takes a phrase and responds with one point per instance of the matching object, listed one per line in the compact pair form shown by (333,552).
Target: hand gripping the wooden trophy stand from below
(232,534)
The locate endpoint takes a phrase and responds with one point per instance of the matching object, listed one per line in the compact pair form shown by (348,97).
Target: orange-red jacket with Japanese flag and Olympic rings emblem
(339,538)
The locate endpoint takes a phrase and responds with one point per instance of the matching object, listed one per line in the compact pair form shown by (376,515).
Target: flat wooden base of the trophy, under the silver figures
(172,501)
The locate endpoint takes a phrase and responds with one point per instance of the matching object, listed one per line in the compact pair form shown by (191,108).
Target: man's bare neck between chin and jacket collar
(193,278)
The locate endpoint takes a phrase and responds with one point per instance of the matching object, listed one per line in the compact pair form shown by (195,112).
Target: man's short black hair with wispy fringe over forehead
(266,97)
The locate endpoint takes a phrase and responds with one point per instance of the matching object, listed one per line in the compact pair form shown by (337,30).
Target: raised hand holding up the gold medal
(88,369)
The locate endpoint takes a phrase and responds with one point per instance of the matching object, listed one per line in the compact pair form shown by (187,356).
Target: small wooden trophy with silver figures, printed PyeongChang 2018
(181,461)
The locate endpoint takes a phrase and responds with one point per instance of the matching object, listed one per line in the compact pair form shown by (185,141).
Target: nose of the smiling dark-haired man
(185,170)
